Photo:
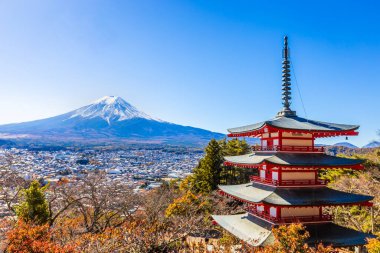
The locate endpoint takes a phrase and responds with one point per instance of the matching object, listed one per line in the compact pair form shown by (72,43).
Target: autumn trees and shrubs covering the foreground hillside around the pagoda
(92,214)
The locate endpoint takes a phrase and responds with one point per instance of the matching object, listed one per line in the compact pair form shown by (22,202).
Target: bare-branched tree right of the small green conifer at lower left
(99,202)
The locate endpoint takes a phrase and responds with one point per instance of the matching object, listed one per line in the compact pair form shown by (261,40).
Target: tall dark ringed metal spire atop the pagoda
(286,85)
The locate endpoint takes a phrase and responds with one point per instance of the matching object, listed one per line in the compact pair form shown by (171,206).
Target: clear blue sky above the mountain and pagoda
(209,64)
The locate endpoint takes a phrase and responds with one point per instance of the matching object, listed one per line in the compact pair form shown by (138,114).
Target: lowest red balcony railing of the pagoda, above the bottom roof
(290,219)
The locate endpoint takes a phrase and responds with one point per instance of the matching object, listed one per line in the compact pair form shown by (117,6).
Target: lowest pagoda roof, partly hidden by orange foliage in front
(258,232)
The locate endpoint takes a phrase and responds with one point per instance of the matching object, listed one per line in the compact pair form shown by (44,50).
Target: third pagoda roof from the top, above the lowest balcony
(306,196)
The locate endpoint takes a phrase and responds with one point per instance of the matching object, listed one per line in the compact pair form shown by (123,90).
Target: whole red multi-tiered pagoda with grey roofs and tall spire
(287,188)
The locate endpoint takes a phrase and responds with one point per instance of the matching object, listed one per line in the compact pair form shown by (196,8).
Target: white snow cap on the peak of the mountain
(111,109)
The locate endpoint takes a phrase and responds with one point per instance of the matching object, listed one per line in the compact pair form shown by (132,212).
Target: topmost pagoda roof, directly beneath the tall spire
(292,123)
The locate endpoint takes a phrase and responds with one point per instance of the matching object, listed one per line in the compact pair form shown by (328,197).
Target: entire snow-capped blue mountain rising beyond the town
(110,118)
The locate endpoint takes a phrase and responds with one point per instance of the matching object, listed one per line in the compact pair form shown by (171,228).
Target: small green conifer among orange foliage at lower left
(34,208)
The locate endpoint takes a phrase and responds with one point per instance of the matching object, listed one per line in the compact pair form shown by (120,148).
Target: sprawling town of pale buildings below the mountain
(133,166)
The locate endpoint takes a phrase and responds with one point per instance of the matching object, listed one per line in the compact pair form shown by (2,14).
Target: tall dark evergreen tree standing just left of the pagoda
(207,174)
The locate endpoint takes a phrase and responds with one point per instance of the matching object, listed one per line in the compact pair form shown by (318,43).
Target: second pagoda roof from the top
(295,159)
